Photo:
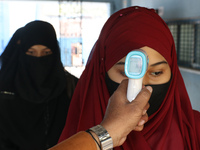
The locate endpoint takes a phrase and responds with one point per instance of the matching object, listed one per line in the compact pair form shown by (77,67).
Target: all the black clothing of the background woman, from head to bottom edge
(34,100)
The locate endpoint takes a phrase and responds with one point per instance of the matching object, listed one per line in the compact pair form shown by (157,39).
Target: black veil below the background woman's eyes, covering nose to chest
(37,79)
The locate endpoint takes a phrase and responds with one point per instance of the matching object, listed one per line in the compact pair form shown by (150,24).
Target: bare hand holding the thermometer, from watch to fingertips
(122,116)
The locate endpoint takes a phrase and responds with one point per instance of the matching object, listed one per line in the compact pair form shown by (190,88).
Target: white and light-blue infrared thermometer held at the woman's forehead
(135,67)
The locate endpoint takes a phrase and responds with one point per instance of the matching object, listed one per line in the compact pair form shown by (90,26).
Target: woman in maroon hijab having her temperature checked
(172,124)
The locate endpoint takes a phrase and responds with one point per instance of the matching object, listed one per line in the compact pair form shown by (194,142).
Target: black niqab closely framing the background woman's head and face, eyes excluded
(39,79)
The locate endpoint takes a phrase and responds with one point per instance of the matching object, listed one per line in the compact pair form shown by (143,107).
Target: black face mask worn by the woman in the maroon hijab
(157,96)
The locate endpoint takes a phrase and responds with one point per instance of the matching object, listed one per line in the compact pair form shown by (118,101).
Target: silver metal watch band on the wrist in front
(104,137)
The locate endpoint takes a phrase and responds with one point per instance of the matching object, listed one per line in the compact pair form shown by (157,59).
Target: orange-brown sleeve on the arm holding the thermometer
(80,141)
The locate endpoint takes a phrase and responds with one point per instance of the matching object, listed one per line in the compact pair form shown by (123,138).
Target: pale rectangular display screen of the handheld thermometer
(135,67)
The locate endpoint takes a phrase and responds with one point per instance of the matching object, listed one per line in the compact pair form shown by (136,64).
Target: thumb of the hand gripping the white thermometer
(143,97)
